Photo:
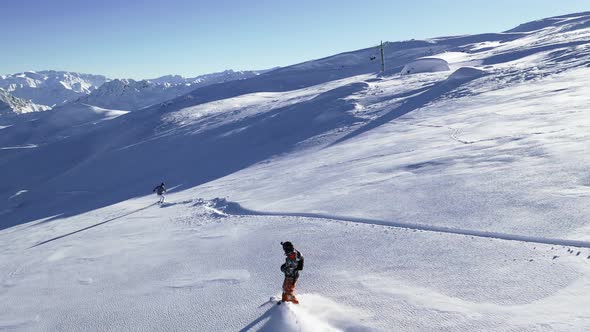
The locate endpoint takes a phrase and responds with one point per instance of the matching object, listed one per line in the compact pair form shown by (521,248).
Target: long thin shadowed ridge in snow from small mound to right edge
(237,209)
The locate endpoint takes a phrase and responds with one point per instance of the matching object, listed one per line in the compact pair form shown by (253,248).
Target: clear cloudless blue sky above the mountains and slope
(150,38)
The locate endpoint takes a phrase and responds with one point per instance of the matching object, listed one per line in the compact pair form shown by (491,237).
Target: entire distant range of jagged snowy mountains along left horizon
(39,91)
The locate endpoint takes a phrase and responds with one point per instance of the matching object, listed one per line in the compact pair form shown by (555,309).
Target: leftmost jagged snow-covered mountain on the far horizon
(50,87)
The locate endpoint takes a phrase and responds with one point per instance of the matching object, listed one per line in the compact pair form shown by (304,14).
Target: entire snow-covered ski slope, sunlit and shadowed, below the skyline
(436,201)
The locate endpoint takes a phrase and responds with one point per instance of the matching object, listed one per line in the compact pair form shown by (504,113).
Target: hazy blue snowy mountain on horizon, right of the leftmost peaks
(129,94)
